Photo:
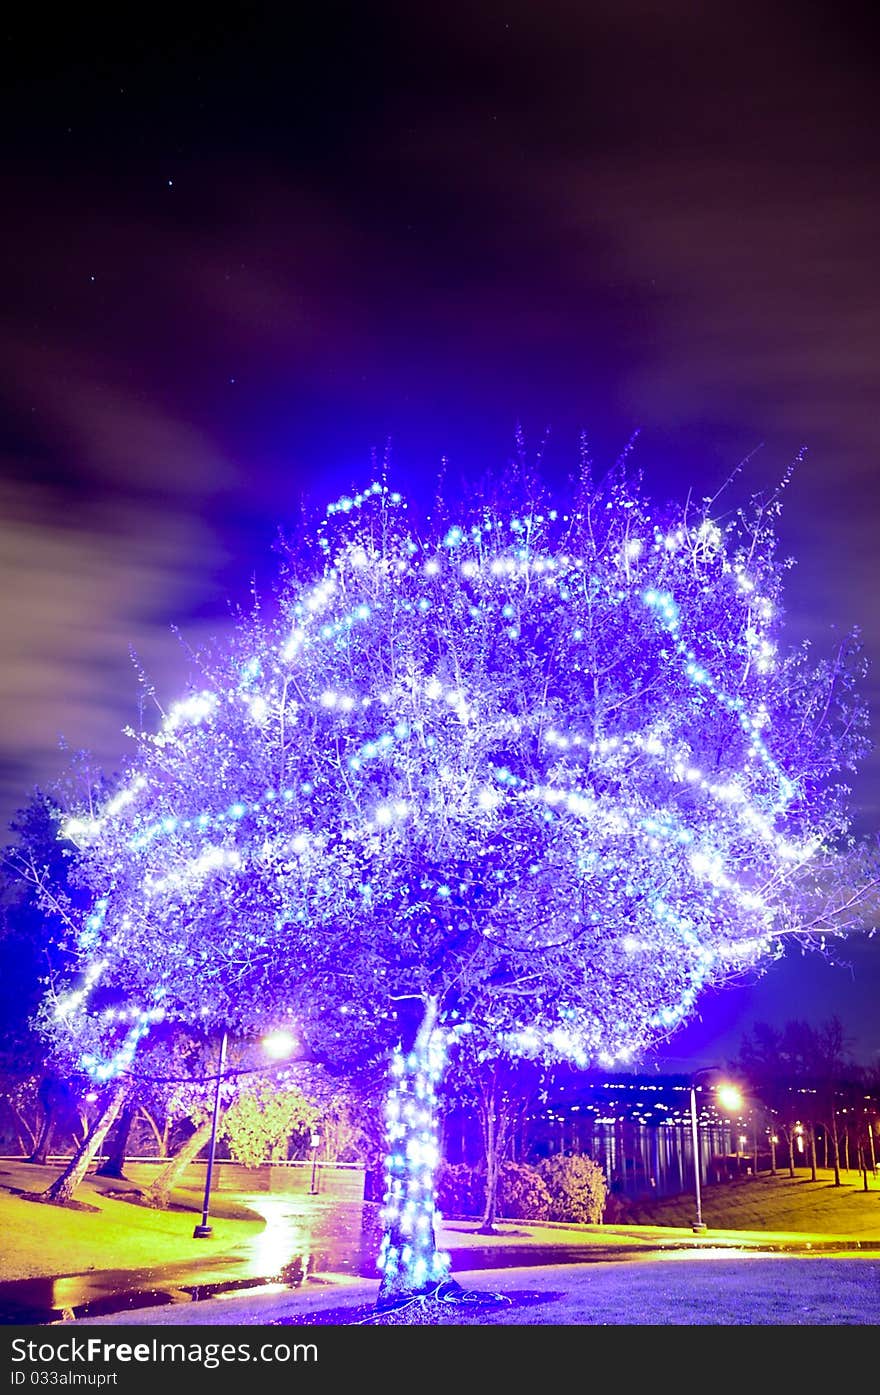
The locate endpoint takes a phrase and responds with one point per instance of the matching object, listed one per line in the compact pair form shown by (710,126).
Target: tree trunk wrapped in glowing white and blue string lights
(409,1259)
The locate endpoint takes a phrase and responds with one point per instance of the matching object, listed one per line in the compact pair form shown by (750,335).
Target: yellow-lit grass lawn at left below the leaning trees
(48,1242)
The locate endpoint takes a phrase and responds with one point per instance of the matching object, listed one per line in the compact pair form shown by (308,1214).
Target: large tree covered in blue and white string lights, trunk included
(542,768)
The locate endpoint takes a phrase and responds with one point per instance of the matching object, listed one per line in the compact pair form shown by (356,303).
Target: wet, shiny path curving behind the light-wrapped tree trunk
(319,1242)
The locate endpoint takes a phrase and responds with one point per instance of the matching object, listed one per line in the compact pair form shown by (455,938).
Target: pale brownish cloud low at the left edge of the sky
(79,601)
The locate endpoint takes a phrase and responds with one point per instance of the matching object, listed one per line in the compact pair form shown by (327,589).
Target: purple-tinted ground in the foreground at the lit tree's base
(698,1290)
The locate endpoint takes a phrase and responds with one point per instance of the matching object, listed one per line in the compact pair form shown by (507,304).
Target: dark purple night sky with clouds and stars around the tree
(242,259)
